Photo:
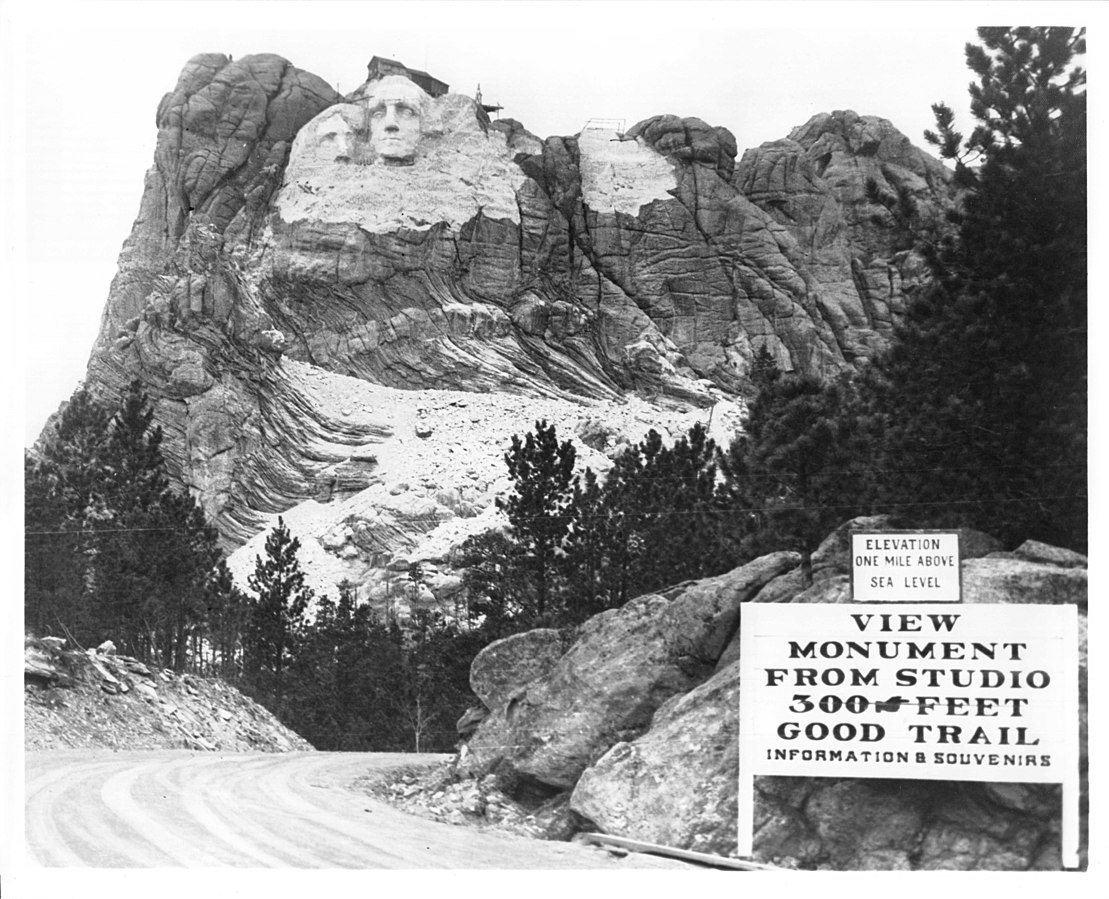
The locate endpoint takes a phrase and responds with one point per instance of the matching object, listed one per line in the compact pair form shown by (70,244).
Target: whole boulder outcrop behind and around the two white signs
(666,771)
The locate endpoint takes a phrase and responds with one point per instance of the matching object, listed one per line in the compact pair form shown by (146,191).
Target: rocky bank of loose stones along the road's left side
(97,699)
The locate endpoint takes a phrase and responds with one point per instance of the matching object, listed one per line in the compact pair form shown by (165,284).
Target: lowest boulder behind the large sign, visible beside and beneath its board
(677,785)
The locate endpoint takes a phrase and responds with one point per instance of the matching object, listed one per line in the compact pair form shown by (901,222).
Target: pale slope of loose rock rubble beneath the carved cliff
(446,483)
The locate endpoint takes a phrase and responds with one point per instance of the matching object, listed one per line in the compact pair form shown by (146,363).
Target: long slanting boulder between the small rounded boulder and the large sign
(605,690)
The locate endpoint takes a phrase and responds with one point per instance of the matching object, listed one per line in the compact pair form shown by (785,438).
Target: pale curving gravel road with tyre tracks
(145,810)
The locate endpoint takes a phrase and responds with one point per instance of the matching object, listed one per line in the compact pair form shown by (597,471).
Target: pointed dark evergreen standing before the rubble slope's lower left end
(277,615)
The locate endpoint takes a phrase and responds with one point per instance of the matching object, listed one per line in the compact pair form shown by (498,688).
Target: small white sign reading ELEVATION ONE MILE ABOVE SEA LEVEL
(905,567)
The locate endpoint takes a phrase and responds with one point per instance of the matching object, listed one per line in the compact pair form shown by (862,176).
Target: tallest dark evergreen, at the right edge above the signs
(983,402)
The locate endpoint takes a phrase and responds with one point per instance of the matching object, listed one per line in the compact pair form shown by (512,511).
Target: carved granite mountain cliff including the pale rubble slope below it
(299,302)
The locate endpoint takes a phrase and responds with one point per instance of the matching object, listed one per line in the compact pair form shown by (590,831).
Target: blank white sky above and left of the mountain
(85,83)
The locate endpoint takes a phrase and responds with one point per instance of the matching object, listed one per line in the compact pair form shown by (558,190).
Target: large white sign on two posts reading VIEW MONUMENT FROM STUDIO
(982,693)
